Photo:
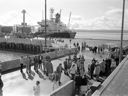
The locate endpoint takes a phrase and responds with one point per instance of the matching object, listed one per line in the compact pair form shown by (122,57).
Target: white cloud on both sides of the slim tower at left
(14,17)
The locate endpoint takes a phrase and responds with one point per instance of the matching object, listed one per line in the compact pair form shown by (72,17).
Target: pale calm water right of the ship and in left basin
(91,38)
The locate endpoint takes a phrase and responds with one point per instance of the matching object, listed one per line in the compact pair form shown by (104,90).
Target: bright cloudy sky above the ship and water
(86,14)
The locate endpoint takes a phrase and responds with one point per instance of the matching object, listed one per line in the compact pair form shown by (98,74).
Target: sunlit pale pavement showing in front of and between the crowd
(15,85)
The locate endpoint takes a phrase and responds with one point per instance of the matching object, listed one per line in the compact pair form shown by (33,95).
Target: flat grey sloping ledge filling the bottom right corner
(117,83)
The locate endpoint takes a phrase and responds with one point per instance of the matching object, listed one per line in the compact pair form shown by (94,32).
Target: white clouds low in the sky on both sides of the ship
(109,20)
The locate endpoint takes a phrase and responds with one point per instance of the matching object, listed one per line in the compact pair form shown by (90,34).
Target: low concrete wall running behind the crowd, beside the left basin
(13,65)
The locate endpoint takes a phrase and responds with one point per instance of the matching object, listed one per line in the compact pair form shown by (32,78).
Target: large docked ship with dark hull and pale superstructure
(55,28)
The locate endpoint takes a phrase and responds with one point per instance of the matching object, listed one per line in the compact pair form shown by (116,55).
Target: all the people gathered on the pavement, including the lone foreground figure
(73,67)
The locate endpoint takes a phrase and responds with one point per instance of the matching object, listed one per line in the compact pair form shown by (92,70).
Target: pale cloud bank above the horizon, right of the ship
(110,20)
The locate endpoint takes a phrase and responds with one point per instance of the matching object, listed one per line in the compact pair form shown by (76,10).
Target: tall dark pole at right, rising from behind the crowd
(122,29)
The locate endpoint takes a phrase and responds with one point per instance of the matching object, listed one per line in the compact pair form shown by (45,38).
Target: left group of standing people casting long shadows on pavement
(39,63)
